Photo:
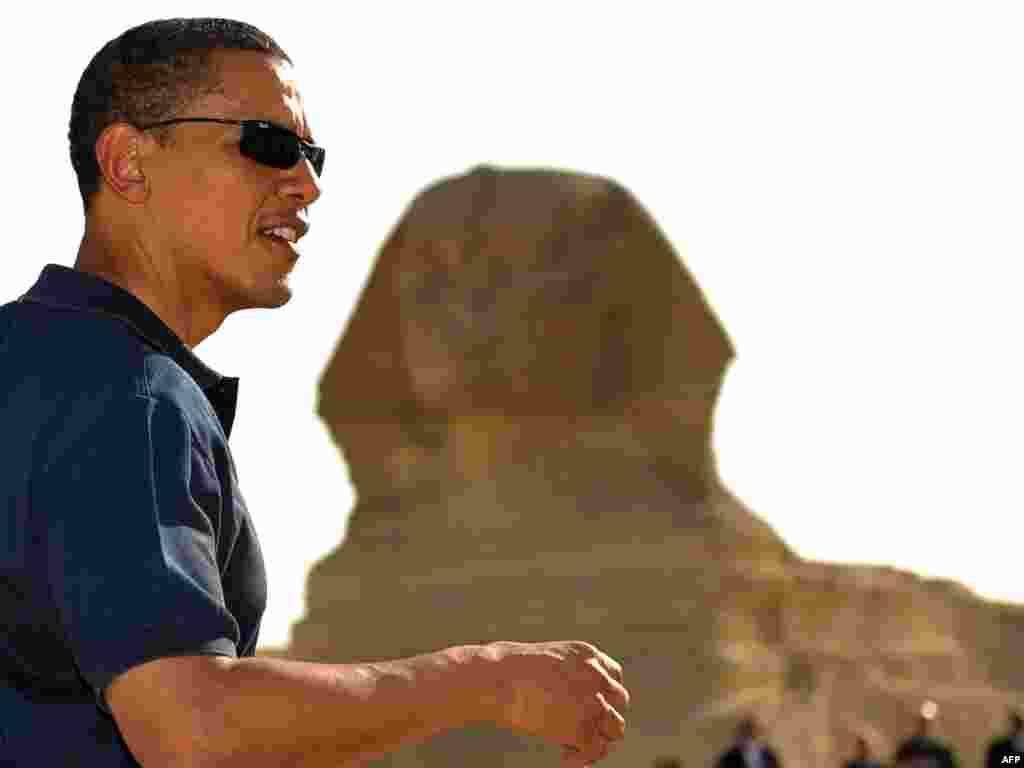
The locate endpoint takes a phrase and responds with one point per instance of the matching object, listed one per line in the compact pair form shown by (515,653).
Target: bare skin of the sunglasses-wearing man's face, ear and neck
(180,226)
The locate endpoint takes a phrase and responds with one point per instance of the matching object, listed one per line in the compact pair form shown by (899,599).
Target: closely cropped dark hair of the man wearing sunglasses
(147,75)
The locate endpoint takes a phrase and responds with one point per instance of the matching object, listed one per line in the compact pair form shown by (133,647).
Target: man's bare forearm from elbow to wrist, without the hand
(277,713)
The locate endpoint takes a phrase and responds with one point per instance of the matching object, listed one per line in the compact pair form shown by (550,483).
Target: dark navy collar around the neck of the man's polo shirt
(73,289)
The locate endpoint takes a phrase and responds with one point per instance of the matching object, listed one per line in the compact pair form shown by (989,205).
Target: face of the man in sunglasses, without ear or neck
(210,203)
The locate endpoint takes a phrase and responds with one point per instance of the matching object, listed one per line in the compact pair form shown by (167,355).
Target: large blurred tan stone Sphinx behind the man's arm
(525,398)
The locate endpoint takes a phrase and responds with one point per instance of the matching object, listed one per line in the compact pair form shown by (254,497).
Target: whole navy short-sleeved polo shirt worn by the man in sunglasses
(123,535)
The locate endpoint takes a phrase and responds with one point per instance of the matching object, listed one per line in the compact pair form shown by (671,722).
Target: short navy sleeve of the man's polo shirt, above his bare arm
(133,540)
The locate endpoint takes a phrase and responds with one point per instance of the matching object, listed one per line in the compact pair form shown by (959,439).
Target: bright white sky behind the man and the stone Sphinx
(846,181)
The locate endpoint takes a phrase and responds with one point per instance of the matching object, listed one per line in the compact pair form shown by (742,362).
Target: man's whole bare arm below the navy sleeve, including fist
(207,711)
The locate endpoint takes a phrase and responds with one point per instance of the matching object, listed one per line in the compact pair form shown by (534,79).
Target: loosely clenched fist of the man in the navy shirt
(566,693)
